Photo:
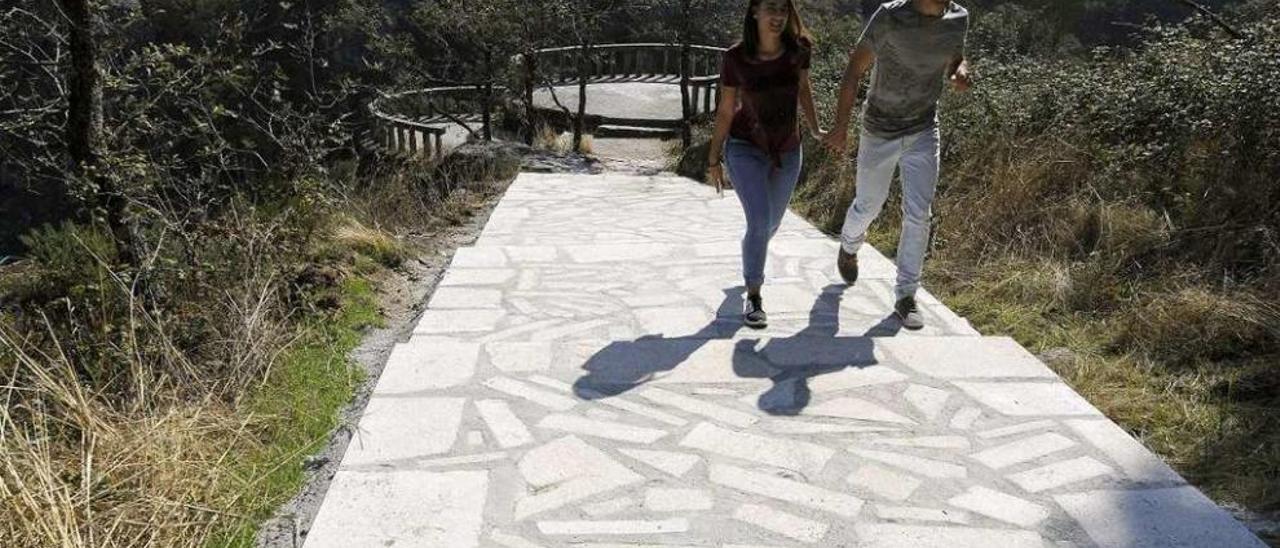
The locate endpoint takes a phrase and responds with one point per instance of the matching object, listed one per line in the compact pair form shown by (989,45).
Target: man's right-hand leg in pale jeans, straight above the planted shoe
(920,167)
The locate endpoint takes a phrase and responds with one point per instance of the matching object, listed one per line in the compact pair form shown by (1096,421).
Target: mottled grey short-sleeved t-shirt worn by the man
(913,53)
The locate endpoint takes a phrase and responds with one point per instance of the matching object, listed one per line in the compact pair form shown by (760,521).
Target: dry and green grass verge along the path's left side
(125,427)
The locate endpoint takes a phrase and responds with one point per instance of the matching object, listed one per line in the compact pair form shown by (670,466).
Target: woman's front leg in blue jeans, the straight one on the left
(749,172)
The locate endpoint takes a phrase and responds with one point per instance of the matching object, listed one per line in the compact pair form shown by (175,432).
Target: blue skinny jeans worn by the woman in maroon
(765,193)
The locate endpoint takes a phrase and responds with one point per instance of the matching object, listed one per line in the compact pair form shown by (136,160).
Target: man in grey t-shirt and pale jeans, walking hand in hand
(916,45)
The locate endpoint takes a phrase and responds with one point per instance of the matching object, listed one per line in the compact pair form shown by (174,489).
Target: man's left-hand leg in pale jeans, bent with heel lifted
(876,161)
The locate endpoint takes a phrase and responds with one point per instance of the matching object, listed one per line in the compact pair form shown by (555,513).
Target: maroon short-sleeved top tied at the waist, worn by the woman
(769,98)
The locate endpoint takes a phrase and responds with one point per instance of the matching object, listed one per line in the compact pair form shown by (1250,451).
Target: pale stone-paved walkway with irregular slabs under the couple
(580,378)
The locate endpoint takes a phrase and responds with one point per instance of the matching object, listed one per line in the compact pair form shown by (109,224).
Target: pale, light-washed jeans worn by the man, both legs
(917,157)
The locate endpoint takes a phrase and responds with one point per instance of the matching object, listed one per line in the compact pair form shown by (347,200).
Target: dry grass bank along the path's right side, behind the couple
(1031,243)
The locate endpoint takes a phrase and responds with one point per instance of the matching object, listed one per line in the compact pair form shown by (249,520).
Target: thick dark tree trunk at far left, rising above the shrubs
(85,122)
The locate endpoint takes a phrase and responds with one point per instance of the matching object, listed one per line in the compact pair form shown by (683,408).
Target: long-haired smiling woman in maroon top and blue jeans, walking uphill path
(764,80)
